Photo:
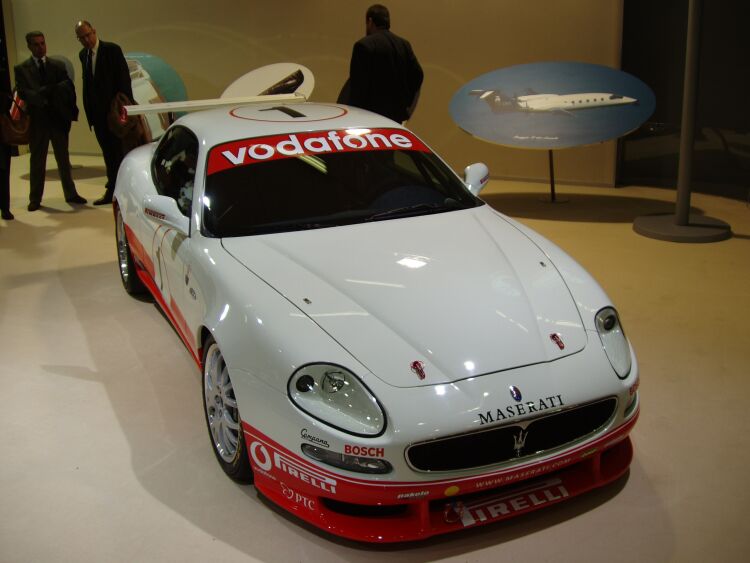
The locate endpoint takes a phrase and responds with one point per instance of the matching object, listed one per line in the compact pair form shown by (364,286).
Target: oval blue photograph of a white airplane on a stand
(552,105)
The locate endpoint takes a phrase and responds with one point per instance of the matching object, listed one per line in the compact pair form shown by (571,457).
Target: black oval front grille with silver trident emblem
(499,445)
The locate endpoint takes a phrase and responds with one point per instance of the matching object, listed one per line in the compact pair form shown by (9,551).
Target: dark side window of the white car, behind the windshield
(173,166)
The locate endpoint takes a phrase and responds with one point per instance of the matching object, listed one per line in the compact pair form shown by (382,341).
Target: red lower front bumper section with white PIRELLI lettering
(385,511)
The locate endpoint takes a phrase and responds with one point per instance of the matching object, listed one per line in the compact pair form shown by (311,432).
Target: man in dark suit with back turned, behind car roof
(384,74)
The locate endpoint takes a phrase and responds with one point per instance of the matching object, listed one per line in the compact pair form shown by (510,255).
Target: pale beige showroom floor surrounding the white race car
(104,455)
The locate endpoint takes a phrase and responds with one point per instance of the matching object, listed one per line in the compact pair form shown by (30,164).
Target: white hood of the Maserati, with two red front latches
(462,294)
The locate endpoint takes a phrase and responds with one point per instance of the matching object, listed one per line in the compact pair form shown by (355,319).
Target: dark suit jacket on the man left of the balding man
(50,101)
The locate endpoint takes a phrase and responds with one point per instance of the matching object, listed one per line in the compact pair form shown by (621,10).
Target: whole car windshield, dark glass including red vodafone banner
(324,179)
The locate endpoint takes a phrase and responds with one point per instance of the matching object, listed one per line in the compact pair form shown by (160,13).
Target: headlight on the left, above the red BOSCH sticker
(334,395)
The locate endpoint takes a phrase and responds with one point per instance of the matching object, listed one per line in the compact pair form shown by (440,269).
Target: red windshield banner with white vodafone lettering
(262,149)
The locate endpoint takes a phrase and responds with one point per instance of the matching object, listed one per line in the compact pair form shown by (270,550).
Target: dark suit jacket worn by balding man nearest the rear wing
(111,75)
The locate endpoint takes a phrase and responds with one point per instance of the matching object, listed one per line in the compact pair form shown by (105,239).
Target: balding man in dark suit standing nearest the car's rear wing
(105,73)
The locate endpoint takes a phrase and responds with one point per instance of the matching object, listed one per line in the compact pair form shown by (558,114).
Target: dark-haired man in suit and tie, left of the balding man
(50,97)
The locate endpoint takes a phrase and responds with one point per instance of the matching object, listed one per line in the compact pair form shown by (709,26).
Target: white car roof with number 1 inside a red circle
(219,125)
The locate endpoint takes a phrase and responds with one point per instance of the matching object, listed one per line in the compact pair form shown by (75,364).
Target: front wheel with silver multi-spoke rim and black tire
(223,416)
